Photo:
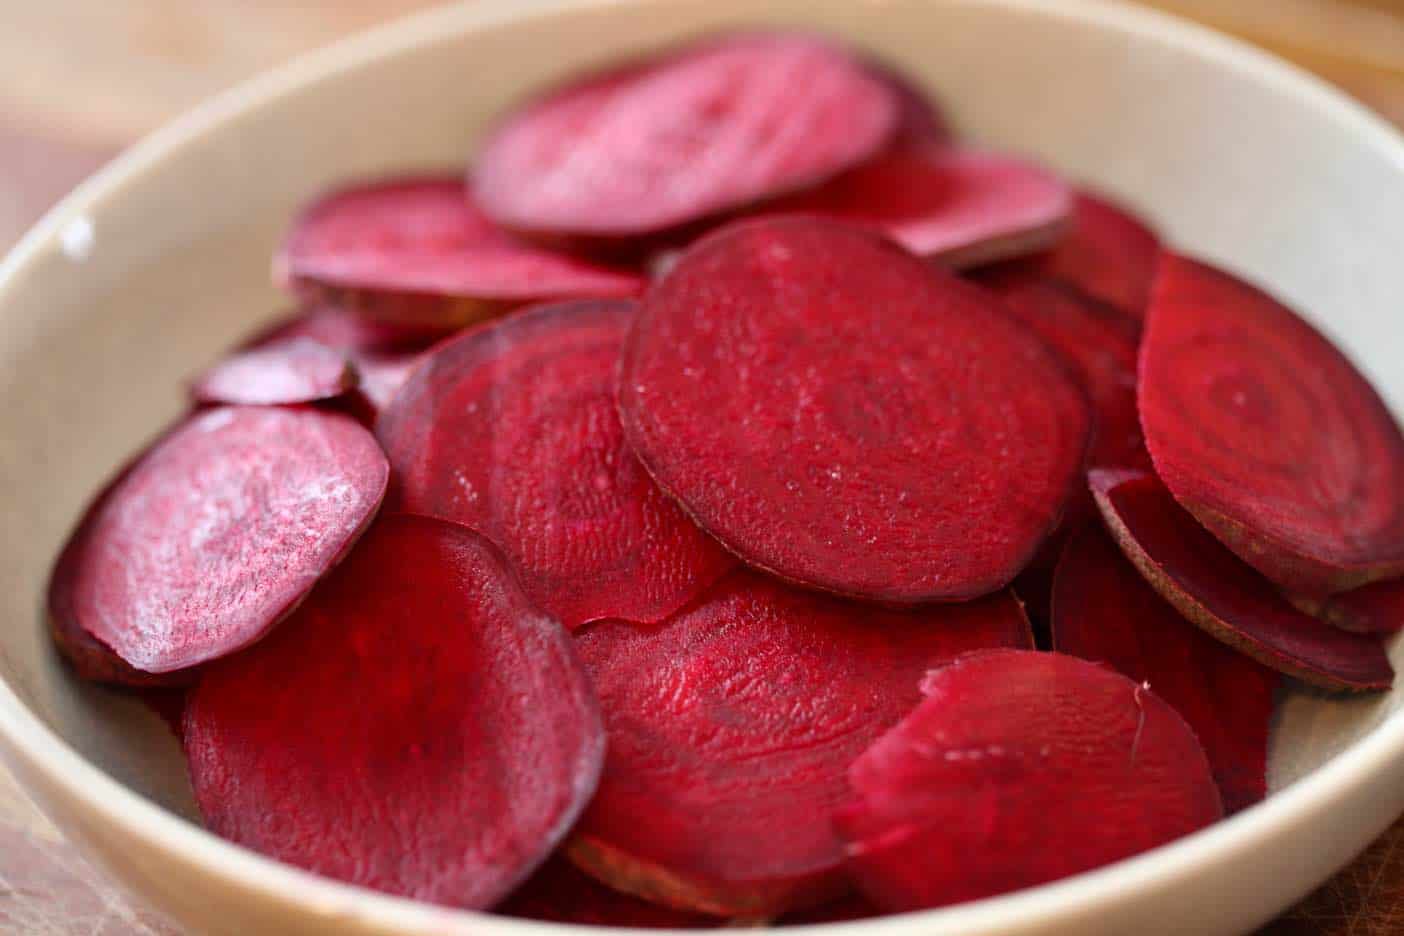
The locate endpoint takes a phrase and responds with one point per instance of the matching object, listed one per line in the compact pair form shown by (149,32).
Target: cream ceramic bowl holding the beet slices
(162,260)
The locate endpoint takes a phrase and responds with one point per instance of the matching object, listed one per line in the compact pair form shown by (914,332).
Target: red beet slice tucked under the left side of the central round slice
(512,430)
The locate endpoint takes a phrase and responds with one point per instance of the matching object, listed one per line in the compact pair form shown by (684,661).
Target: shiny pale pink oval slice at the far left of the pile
(218,533)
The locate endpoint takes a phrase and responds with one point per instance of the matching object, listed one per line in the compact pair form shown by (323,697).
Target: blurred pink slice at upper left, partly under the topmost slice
(419,250)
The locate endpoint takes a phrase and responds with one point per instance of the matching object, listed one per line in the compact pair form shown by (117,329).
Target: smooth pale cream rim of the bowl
(40,750)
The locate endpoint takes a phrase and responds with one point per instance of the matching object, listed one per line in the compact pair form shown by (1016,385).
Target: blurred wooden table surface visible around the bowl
(81,79)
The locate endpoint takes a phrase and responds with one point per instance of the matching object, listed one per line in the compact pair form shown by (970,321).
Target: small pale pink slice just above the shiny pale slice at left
(296,371)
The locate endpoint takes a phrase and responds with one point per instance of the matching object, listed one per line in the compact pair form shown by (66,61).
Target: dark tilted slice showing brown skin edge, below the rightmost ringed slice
(1219,593)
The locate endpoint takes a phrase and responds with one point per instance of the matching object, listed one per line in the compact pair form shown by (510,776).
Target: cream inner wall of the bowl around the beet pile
(155,272)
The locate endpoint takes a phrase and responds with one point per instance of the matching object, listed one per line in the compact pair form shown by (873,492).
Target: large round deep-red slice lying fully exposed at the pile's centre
(849,417)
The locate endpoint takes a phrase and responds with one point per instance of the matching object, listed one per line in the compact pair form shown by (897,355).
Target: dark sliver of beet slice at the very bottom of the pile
(561,893)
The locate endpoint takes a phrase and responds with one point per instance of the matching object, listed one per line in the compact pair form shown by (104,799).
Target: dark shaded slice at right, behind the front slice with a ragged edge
(1106,613)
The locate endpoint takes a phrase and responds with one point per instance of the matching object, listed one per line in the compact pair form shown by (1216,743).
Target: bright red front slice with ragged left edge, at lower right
(1017,770)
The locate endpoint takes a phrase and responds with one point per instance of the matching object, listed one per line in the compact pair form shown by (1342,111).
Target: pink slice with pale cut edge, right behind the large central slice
(958,207)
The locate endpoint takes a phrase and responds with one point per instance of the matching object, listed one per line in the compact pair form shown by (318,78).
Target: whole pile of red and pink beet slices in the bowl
(638,531)
